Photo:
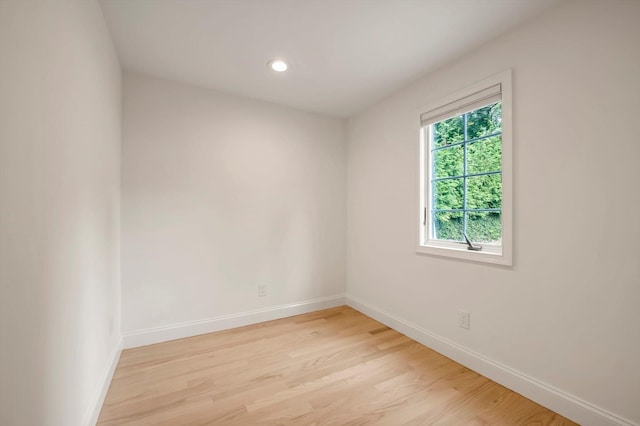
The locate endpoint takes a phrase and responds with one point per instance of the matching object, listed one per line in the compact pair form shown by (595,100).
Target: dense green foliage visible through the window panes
(483,192)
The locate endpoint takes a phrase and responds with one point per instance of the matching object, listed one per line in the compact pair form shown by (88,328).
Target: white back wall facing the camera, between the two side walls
(221,193)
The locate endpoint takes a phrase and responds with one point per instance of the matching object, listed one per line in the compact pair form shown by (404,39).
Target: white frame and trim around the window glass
(494,254)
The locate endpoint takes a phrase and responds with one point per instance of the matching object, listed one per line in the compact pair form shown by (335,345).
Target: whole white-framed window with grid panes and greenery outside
(465,174)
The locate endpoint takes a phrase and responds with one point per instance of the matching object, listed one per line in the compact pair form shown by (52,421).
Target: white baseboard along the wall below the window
(544,394)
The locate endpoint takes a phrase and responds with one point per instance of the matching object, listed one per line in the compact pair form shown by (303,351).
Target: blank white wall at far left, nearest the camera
(59,210)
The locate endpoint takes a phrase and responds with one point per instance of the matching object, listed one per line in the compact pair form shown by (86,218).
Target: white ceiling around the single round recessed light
(343,54)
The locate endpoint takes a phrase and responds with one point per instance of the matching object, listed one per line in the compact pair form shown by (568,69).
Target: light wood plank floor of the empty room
(332,367)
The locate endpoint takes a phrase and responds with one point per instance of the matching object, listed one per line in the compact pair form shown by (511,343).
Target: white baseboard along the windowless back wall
(193,328)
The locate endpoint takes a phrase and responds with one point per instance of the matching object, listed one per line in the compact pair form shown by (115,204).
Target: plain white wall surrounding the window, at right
(566,313)
